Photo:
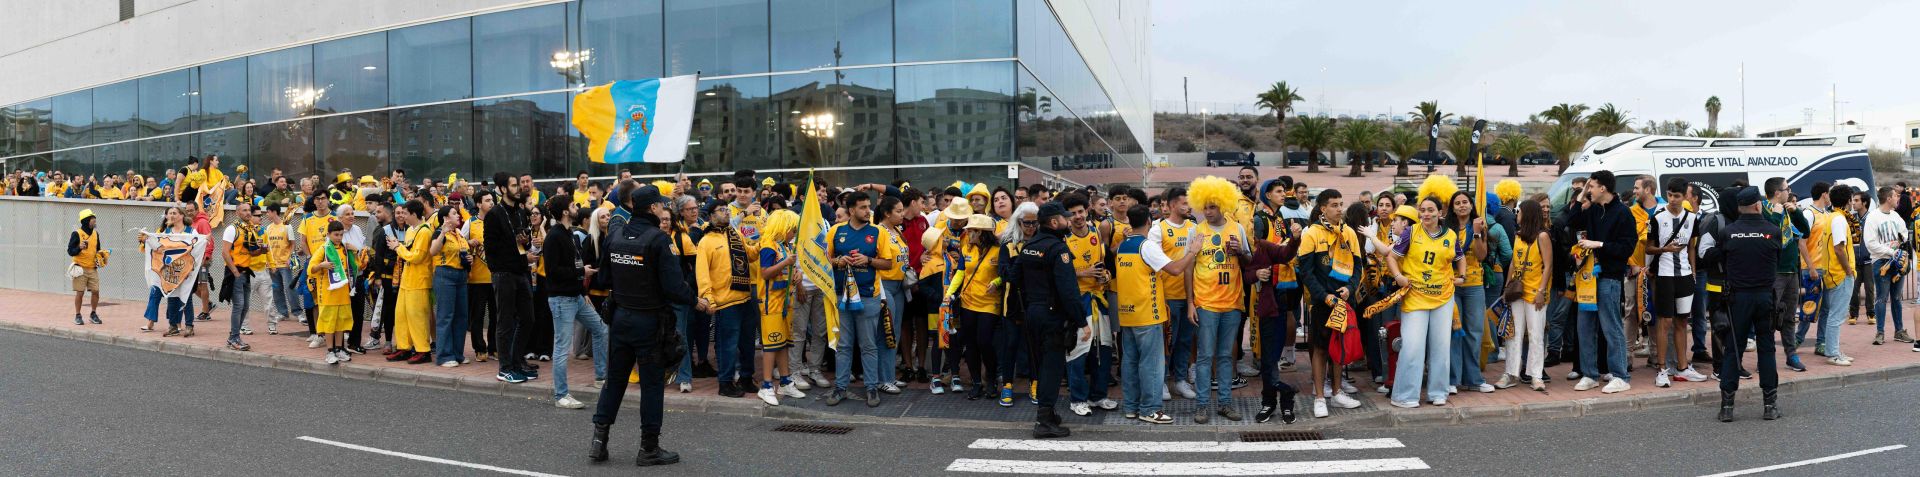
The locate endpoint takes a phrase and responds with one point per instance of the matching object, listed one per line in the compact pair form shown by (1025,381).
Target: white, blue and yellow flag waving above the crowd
(638,120)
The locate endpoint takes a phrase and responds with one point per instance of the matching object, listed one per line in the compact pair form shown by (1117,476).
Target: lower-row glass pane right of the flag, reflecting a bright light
(861,105)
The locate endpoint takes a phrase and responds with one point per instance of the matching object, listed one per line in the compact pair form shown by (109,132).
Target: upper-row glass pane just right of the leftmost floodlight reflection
(350,74)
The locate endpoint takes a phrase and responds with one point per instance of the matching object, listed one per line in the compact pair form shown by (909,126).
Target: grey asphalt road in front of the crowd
(80,409)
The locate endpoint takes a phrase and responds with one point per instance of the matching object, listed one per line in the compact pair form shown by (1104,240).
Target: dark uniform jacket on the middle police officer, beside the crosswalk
(1049,286)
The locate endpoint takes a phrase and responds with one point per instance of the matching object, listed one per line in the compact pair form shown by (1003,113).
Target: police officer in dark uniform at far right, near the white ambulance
(1748,251)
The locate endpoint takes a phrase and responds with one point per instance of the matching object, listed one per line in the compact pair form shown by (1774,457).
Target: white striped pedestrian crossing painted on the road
(1184,468)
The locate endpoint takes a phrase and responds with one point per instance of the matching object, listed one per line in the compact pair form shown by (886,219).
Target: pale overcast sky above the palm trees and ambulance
(1658,61)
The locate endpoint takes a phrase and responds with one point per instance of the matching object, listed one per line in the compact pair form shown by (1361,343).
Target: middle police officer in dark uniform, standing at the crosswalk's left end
(1055,313)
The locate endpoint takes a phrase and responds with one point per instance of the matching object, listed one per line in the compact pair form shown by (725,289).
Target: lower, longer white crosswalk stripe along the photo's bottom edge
(1186,468)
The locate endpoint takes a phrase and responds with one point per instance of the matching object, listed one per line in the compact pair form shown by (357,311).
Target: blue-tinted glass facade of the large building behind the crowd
(928,91)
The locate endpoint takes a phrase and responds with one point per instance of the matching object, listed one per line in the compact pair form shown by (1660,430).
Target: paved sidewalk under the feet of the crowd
(51,314)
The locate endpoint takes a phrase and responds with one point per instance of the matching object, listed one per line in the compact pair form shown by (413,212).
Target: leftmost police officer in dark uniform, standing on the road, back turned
(646,284)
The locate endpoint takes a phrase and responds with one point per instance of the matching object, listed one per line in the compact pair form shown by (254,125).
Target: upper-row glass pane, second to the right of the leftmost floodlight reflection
(431,63)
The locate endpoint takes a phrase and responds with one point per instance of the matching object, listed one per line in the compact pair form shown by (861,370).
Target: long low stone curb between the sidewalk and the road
(1426,416)
